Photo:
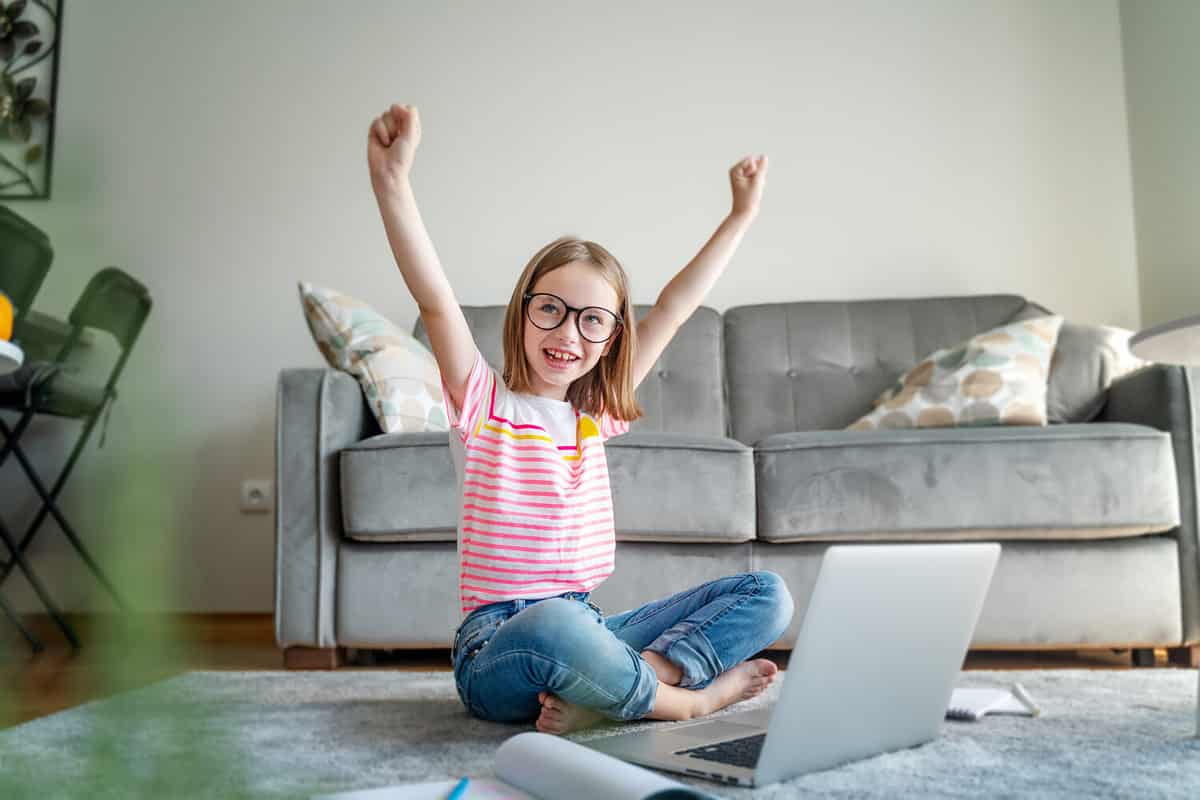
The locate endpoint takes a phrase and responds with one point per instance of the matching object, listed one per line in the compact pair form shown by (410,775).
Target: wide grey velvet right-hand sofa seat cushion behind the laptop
(1066,482)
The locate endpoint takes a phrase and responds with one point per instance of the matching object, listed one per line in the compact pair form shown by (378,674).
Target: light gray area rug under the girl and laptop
(223,735)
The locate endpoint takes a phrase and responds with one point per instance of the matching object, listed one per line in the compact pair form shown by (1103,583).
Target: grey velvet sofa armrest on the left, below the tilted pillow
(319,412)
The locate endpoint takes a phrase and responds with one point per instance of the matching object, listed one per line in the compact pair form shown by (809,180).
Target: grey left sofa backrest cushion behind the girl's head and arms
(682,394)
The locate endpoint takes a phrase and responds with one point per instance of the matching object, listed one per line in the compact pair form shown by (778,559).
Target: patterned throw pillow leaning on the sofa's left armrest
(399,376)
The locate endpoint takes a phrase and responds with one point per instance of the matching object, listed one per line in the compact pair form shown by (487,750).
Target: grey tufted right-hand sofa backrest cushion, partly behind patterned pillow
(818,366)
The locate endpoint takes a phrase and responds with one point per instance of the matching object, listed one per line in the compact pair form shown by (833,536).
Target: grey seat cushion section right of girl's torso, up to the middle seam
(681,488)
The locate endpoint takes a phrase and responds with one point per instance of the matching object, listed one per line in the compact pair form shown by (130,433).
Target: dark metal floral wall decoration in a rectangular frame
(29,69)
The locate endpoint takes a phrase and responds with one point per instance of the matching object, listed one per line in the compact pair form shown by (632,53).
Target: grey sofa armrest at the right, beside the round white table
(1165,398)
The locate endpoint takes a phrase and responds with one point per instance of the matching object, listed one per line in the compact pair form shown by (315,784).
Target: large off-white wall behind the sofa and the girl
(218,152)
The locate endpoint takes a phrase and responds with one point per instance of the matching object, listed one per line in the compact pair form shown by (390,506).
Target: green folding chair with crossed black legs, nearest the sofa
(112,302)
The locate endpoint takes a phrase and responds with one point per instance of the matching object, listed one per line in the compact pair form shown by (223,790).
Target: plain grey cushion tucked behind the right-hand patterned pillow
(1087,360)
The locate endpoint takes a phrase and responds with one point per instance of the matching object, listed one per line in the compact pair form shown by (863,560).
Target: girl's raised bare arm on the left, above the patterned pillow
(392,147)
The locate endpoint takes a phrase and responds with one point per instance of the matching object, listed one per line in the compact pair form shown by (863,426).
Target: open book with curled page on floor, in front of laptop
(541,767)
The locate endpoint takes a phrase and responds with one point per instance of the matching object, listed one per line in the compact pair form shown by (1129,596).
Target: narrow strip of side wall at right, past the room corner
(1162,63)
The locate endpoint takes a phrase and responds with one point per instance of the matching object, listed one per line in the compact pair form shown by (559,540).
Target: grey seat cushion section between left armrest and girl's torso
(400,488)
